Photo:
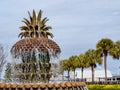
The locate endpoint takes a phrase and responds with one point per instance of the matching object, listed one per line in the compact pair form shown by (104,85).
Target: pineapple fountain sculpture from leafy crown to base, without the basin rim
(34,52)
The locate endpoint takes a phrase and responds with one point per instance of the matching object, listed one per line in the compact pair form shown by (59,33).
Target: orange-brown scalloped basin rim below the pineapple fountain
(44,86)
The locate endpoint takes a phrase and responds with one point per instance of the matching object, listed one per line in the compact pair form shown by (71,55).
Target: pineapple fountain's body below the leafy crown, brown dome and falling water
(32,59)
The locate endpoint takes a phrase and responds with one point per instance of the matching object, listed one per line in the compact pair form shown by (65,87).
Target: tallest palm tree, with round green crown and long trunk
(104,46)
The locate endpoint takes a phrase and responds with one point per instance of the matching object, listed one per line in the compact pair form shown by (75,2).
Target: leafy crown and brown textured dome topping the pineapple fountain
(35,34)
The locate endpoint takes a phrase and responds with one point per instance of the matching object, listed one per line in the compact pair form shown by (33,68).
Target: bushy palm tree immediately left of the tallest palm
(93,58)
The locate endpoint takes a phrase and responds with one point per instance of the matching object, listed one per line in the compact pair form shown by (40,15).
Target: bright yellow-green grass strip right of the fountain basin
(103,87)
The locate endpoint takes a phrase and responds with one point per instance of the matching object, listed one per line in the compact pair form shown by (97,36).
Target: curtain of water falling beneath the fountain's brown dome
(39,68)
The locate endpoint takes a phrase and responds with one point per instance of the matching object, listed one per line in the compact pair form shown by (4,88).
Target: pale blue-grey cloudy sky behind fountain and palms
(77,24)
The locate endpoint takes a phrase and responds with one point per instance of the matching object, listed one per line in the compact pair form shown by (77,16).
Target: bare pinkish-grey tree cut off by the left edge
(2,58)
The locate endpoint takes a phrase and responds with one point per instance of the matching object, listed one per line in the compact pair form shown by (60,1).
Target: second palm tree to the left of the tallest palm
(81,63)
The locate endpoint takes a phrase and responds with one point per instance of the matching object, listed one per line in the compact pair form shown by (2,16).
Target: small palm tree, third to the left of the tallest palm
(73,60)
